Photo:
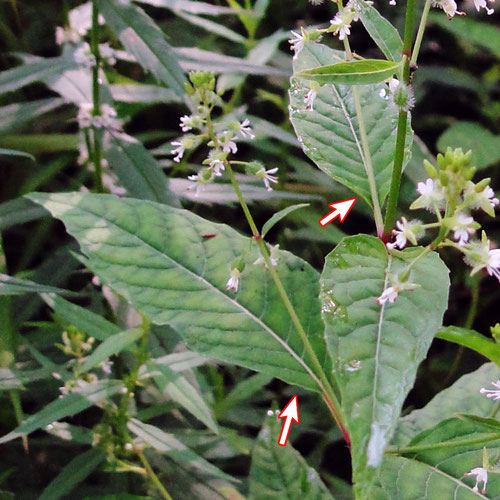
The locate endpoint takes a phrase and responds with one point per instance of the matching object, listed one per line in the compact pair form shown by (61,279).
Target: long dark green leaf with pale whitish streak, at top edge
(142,38)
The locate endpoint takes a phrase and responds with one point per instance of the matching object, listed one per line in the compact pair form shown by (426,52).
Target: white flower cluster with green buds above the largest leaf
(220,136)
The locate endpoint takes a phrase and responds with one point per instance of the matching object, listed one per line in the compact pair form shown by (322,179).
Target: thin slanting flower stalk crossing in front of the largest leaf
(328,394)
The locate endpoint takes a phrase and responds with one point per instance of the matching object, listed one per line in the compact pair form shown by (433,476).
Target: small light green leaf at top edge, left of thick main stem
(383,33)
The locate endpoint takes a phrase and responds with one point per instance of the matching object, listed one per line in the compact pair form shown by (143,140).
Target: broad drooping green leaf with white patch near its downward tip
(376,348)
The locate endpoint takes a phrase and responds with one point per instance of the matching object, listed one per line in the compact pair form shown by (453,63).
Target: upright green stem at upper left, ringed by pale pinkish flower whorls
(96,98)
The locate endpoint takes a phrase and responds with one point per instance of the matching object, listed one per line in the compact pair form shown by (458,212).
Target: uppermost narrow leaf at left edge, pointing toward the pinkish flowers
(39,69)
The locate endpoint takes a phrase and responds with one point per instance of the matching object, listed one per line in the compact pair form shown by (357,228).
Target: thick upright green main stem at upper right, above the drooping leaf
(392,202)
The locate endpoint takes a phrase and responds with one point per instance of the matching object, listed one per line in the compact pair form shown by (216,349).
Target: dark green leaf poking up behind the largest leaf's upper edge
(136,169)
